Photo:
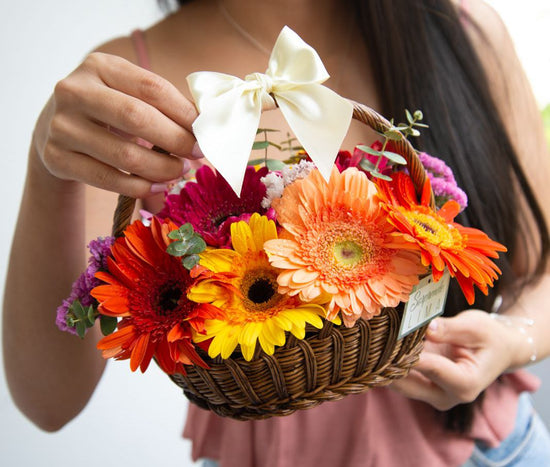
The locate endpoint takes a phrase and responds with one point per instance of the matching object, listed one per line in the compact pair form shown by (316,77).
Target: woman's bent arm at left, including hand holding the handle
(51,375)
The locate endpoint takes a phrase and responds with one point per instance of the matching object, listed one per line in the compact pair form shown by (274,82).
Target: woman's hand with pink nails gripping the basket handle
(90,128)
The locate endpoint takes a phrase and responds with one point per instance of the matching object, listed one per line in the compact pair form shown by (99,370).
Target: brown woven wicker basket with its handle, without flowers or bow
(328,364)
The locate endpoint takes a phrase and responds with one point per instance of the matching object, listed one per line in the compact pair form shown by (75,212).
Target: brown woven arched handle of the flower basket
(362,113)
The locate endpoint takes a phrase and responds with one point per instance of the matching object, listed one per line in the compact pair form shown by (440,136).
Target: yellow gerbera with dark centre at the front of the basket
(246,292)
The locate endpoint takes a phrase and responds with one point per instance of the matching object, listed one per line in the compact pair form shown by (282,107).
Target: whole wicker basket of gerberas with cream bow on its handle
(289,294)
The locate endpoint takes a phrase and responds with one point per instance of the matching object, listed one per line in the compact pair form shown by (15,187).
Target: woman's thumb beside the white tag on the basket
(464,329)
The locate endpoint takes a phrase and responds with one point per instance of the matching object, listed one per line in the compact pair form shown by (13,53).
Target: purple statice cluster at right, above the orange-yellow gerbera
(443,181)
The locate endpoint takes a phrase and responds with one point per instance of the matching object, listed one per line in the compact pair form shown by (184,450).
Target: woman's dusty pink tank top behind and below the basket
(377,428)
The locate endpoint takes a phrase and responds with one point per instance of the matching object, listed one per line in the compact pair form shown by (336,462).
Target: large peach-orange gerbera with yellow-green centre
(339,243)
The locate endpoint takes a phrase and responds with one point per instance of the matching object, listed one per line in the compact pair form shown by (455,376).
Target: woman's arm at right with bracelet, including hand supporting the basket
(465,354)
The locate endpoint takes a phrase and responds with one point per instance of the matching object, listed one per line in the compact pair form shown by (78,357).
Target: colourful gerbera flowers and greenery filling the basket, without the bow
(218,275)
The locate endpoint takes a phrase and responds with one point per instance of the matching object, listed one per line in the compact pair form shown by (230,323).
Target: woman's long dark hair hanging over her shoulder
(423,59)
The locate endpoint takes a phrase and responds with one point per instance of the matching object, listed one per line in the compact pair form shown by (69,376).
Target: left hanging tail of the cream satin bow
(225,130)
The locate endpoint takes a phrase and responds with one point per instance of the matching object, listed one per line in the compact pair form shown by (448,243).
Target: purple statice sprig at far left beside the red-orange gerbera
(99,251)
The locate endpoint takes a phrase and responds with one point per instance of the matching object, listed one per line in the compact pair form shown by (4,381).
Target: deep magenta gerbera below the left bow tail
(210,205)
